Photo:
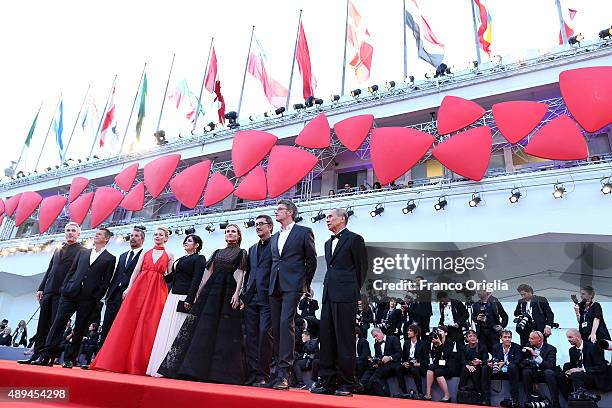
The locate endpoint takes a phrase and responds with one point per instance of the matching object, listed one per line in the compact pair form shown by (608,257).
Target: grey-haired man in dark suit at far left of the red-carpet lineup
(49,290)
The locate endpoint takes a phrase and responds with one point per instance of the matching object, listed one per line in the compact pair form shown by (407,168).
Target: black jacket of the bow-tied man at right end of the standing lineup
(346,268)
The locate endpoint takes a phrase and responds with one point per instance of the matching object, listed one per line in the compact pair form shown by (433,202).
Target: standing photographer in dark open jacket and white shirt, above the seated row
(532,313)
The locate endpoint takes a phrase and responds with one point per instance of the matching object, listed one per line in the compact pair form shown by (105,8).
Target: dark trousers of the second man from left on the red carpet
(67,307)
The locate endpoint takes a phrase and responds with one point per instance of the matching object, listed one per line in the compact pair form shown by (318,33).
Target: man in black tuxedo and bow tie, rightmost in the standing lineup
(347,264)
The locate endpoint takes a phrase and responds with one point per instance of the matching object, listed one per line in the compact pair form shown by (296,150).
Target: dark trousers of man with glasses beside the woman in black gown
(258,325)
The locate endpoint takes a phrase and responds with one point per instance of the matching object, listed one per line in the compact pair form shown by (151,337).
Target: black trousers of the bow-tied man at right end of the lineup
(337,339)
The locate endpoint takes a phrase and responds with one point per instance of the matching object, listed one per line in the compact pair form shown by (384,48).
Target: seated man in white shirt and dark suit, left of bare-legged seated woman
(414,360)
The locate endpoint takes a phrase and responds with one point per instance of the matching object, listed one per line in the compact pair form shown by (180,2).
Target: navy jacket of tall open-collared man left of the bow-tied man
(294,269)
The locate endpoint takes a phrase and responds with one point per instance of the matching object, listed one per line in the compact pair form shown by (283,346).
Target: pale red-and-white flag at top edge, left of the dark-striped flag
(358,38)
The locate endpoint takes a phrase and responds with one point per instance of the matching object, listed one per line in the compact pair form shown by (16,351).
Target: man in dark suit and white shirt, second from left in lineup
(85,284)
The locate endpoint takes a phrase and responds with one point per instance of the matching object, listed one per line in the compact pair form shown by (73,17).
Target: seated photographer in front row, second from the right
(539,364)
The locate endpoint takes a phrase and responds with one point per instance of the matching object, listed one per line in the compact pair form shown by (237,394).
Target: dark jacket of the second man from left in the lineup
(89,282)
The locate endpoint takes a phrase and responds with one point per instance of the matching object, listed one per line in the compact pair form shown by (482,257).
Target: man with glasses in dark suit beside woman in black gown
(257,305)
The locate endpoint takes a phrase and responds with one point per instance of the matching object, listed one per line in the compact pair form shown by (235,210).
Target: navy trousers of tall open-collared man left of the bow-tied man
(283,306)
